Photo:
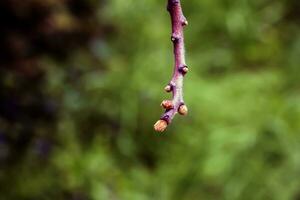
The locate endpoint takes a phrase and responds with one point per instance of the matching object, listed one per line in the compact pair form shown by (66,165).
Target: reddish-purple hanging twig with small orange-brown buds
(180,68)
